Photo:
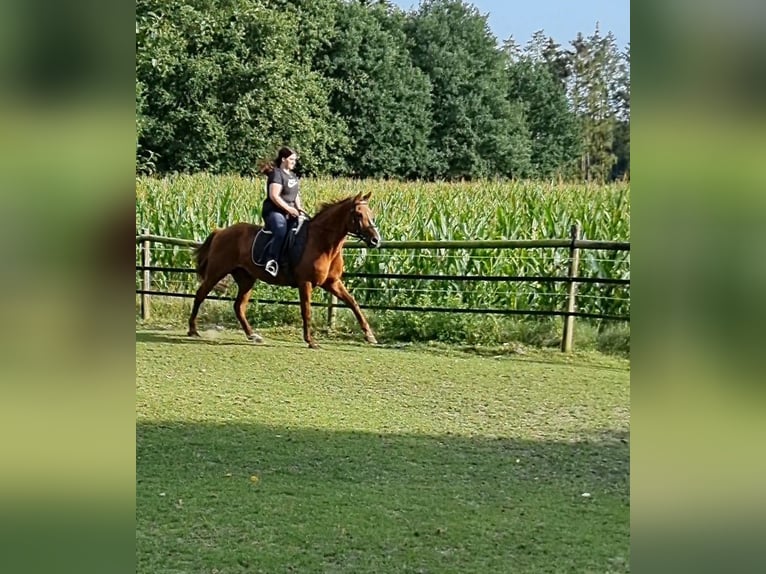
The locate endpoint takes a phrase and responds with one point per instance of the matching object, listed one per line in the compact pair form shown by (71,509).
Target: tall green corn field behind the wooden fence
(190,207)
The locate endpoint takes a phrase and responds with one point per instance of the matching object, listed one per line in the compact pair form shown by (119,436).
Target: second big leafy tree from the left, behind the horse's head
(383,98)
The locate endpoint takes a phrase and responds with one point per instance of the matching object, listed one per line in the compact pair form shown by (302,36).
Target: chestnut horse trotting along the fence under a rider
(227,251)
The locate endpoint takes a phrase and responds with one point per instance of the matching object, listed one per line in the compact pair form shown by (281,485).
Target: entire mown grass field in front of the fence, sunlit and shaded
(274,458)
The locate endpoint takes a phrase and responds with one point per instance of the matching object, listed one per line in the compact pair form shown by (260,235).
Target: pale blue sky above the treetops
(559,19)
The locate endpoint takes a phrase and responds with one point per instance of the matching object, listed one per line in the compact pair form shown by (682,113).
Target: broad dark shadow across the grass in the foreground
(249,497)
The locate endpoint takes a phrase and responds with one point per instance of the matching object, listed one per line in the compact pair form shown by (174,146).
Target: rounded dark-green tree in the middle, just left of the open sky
(477,131)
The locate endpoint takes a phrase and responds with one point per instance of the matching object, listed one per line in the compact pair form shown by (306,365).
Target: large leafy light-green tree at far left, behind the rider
(222,85)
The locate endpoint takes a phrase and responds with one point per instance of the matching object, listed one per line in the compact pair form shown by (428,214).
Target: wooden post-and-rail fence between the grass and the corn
(575,244)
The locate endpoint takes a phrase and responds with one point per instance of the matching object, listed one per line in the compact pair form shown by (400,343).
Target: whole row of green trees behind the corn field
(365,89)
